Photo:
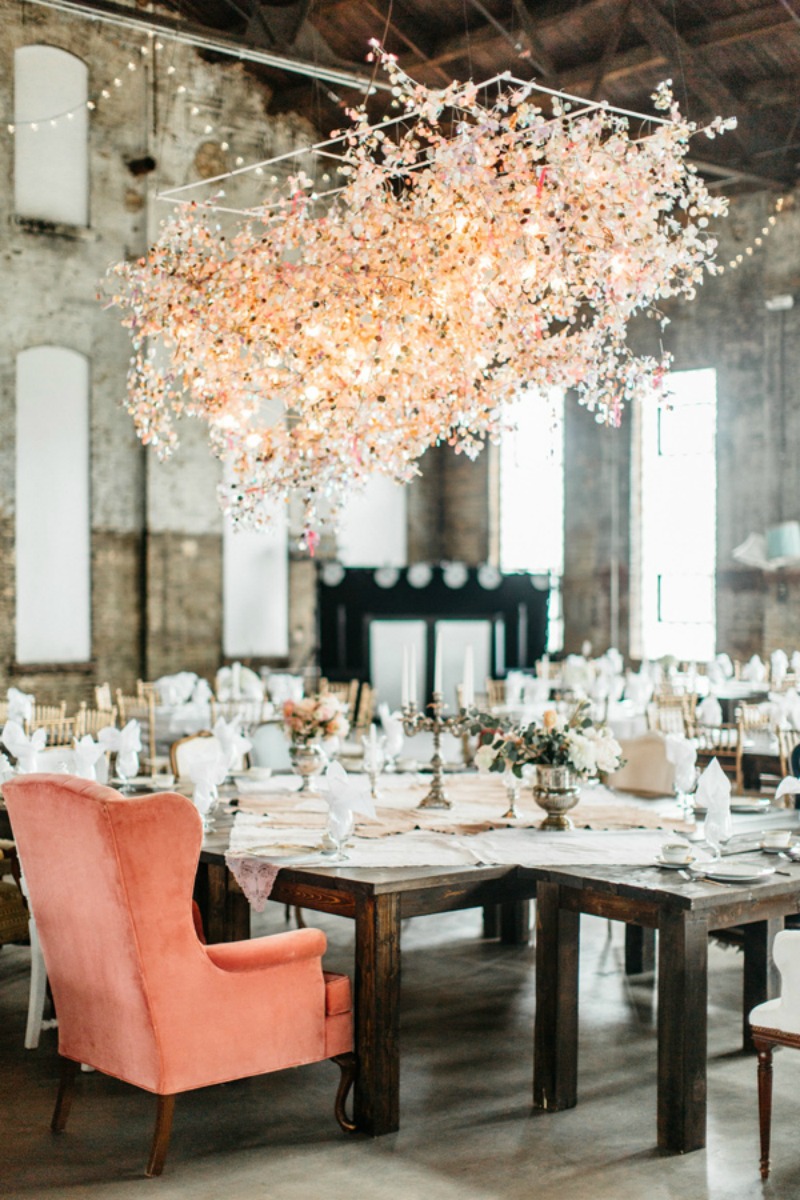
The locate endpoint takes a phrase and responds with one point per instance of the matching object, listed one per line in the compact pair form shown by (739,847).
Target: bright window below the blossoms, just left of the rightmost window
(532,497)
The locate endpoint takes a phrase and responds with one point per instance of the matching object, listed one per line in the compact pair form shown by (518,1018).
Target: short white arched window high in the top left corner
(51,136)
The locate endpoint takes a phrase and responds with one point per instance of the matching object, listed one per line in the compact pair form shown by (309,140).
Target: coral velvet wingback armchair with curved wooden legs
(137,994)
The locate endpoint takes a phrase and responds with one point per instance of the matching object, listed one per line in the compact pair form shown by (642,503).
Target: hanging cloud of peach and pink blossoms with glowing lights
(477,245)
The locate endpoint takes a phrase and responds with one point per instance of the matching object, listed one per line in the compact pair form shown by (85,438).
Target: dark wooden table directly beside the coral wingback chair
(377,901)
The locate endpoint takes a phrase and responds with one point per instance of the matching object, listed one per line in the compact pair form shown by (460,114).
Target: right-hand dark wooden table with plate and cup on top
(683,913)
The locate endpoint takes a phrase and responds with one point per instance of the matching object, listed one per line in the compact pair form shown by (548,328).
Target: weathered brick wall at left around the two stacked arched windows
(157,530)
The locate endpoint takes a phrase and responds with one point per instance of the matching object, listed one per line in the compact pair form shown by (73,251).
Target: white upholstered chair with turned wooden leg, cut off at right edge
(777,1023)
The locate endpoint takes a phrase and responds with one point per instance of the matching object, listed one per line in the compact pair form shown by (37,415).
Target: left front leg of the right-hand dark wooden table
(556,1031)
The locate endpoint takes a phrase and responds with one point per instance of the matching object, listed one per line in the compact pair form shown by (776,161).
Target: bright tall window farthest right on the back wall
(678,520)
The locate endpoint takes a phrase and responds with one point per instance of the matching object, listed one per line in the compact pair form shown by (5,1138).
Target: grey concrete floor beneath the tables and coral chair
(468,1132)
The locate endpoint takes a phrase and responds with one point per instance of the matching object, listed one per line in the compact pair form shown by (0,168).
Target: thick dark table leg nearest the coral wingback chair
(377,1013)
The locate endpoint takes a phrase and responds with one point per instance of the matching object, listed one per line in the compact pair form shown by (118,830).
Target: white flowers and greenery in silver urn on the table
(561,752)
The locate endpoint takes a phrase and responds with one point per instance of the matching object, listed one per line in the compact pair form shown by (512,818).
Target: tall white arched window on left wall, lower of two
(53,530)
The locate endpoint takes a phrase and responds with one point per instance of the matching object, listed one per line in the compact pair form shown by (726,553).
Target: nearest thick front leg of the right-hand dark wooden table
(683,1029)
